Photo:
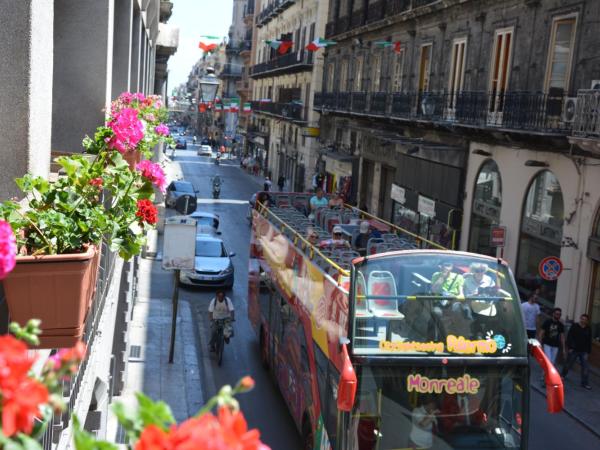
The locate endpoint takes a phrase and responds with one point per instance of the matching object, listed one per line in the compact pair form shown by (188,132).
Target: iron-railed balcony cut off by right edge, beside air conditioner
(586,120)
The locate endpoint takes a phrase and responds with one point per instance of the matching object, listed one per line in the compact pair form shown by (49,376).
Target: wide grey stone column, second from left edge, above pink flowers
(83,55)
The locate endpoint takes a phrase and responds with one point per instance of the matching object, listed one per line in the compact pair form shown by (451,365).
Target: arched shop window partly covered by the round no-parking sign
(541,235)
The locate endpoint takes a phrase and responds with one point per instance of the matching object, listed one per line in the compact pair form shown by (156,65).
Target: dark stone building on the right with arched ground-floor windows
(459,117)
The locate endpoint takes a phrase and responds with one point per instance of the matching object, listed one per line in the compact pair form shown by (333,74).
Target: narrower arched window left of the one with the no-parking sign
(485,211)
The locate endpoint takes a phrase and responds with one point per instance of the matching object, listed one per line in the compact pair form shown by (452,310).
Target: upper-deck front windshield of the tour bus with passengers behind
(439,303)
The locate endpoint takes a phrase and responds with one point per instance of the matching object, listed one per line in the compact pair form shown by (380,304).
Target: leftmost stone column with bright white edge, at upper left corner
(25,90)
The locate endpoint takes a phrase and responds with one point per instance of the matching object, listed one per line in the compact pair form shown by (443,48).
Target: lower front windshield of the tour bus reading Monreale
(467,408)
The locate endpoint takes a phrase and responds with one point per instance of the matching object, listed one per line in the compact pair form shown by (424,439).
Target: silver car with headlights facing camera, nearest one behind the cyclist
(212,265)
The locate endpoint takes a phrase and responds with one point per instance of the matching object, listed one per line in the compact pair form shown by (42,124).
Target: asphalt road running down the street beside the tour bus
(264,407)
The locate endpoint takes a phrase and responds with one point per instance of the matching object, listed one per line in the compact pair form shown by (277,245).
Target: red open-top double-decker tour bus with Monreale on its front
(408,346)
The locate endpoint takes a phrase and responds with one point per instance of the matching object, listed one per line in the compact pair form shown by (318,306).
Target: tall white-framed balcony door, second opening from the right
(502,54)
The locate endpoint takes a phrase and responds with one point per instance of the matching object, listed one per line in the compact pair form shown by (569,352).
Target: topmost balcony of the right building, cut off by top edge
(376,12)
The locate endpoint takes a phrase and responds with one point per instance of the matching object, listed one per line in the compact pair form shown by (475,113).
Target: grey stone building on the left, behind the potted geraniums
(65,60)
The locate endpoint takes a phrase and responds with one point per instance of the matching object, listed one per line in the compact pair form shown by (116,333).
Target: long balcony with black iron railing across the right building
(512,111)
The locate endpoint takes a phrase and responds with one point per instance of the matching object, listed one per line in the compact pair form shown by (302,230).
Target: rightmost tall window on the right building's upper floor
(561,53)
